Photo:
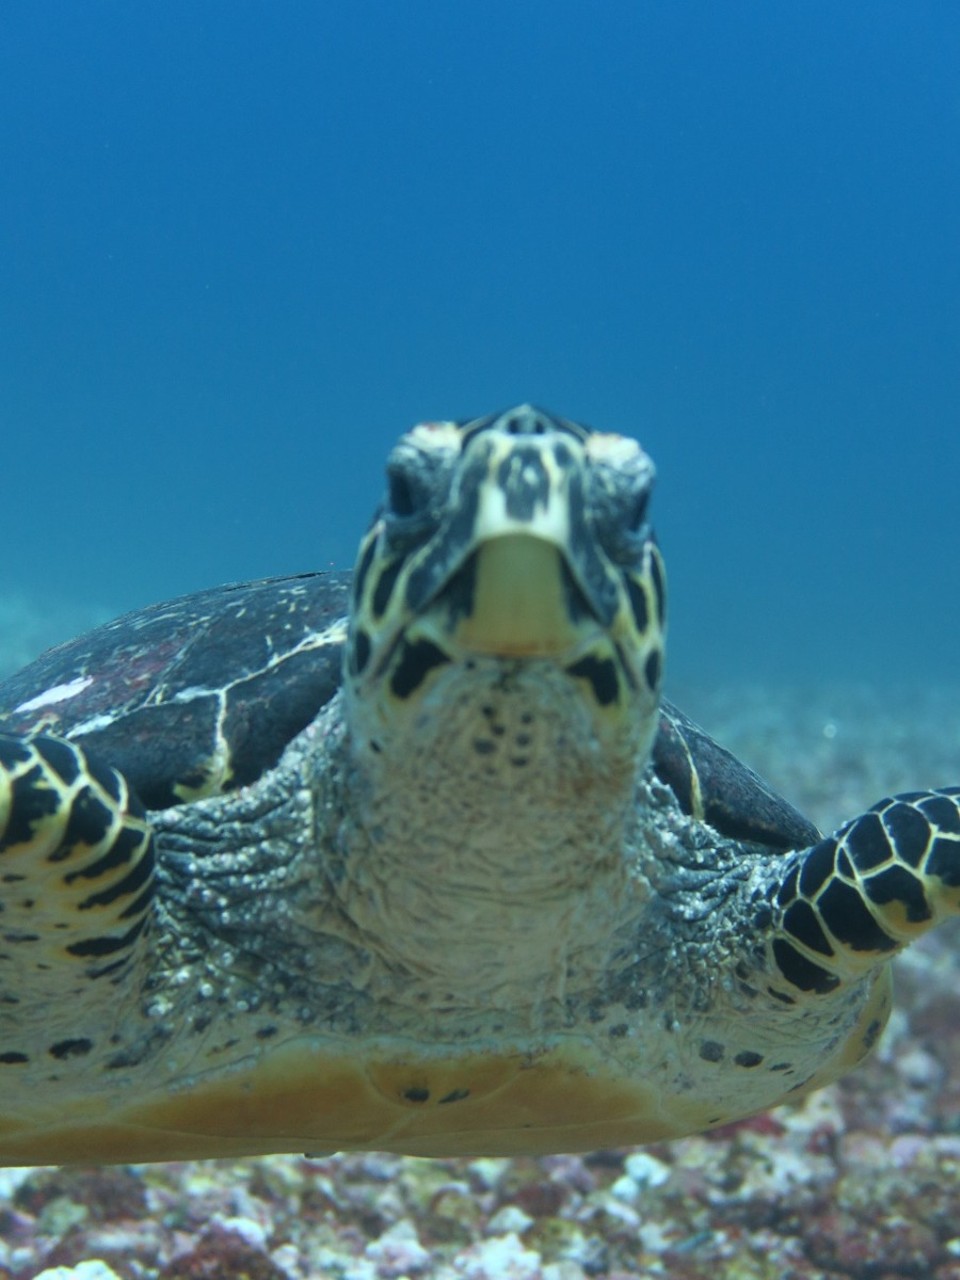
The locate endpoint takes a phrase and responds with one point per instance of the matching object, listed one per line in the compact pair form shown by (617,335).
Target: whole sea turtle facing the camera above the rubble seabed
(420,861)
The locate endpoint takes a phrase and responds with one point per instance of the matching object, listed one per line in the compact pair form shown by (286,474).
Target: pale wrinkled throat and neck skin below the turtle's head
(483,852)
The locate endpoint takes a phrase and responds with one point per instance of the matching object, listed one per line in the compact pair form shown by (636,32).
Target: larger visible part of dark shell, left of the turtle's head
(196,696)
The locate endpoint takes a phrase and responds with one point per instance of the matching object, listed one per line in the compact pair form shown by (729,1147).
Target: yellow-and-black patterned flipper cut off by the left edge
(76,872)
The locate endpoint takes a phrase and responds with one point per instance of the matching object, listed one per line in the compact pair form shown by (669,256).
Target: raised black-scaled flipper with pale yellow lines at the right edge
(870,890)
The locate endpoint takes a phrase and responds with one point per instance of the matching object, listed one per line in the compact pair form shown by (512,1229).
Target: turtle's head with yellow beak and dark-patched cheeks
(510,551)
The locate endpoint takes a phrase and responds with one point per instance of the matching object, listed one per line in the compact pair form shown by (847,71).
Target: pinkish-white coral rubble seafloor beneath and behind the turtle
(862,1181)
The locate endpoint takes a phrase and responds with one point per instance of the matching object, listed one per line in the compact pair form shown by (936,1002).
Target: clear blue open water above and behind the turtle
(243,246)
